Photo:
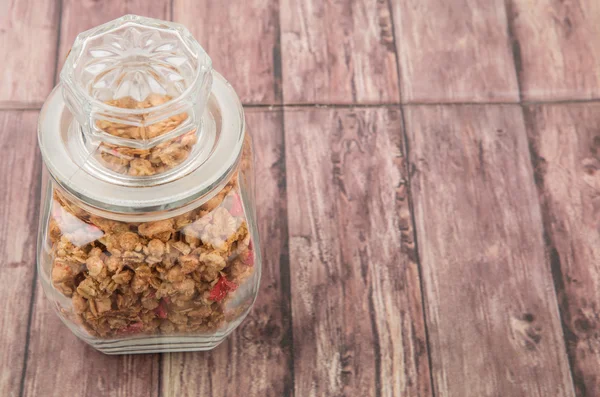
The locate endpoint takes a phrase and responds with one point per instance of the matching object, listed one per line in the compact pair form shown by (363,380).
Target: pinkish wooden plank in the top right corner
(557,43)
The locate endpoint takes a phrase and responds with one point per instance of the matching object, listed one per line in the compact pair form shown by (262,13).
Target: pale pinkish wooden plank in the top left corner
(28,31)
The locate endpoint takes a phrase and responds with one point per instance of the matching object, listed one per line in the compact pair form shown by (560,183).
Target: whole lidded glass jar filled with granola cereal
(148,237)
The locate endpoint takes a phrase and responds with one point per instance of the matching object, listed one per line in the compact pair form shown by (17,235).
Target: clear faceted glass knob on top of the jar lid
(136,82)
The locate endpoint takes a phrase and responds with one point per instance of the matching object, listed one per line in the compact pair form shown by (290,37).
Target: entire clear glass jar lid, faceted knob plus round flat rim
(140,122)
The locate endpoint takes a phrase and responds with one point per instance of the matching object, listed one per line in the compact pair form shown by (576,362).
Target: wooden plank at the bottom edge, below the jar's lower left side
(59,364)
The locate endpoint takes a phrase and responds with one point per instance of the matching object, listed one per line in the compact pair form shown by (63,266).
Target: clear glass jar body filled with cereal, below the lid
(180,280)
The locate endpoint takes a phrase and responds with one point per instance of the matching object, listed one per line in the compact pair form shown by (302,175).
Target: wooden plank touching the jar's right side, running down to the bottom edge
(256,359)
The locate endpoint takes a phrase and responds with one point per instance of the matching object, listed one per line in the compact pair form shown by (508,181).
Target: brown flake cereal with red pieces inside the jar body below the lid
(166,277)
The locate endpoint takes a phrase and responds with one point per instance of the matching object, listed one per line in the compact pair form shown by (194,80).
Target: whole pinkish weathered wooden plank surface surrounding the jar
(429,202)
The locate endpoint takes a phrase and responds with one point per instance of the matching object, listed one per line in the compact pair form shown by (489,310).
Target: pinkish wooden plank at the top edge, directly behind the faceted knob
(81,15)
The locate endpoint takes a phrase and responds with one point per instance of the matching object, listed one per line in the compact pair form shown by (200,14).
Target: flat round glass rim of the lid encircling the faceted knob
(204,175)
